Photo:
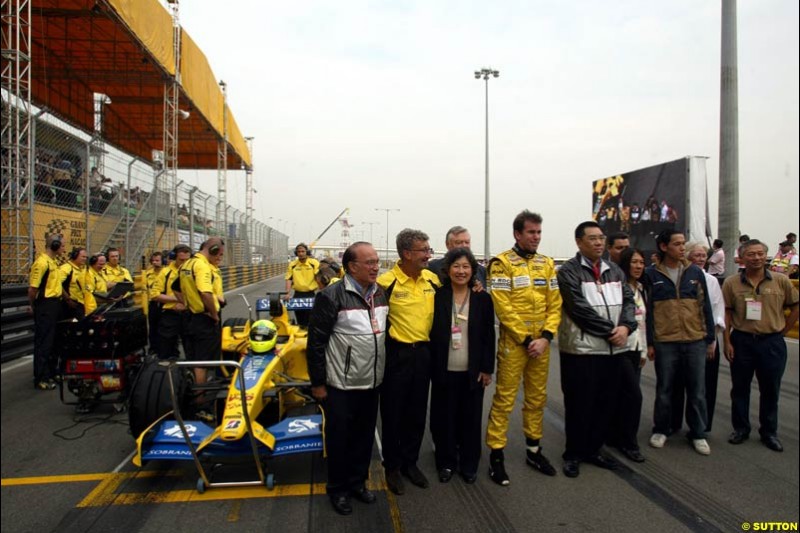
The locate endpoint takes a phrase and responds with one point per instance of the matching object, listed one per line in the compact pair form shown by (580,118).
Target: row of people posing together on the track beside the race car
(385,343)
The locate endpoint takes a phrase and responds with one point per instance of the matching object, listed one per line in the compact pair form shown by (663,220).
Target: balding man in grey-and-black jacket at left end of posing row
(346,357)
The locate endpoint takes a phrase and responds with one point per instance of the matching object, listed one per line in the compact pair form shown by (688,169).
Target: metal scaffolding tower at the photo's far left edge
(17,161)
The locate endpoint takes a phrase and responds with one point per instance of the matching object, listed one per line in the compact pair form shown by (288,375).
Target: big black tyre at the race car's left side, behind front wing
(150,397)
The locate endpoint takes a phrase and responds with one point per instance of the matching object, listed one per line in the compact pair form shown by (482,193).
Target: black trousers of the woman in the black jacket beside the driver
(456,416)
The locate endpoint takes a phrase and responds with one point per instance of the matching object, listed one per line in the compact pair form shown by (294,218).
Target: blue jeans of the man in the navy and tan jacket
(687,359)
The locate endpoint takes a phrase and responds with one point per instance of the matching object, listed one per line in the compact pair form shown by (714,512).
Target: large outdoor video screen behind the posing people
(642,203)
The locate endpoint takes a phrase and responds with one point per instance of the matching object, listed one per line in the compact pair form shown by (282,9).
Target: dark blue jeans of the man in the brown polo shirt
(764,356)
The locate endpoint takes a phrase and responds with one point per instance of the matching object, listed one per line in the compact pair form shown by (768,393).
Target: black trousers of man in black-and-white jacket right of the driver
(588,383)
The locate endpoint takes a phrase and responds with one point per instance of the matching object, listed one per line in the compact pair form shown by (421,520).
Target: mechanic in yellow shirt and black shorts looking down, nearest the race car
(196,288)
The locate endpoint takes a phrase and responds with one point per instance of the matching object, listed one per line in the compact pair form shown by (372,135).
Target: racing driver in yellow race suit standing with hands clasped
(528,305)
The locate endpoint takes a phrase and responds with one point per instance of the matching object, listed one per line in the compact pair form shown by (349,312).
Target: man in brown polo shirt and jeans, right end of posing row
(755,301)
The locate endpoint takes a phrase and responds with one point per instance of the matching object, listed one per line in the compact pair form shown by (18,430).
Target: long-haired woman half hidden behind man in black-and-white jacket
(628,407)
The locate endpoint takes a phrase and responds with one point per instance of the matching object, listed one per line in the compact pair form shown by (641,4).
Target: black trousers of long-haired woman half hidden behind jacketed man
(627,410)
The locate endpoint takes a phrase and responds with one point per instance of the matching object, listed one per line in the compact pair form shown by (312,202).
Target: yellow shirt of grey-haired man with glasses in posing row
(410,304)
